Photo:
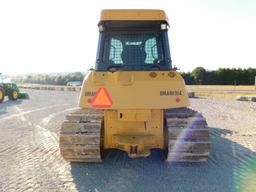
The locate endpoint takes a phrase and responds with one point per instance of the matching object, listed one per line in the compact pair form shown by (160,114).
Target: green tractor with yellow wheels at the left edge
(11,90)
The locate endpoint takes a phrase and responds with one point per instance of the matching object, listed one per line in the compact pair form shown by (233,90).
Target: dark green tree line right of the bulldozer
(221,76)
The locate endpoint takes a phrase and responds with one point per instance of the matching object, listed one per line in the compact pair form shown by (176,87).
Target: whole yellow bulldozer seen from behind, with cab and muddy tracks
(134,100)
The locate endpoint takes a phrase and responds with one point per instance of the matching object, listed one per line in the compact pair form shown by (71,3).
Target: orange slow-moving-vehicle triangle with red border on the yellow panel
(101,99)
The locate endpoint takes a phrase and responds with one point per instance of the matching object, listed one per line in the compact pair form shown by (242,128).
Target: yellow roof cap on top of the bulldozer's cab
(132,14)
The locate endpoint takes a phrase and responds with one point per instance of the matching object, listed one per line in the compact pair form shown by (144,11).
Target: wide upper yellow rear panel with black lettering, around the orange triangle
(136,89)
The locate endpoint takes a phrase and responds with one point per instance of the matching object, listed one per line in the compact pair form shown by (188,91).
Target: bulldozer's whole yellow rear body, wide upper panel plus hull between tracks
(133,106)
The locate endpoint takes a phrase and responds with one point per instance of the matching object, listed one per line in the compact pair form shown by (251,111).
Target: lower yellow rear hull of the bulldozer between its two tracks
(138,130)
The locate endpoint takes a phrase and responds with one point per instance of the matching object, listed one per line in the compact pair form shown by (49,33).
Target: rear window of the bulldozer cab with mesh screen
(133,49)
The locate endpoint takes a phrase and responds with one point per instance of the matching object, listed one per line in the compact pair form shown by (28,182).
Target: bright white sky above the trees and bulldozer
(61,36)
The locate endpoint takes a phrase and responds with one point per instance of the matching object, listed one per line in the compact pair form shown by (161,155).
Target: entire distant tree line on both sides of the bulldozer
(199,76)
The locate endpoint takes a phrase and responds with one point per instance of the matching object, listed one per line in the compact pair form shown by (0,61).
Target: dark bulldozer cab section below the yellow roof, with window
(133,45)
